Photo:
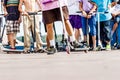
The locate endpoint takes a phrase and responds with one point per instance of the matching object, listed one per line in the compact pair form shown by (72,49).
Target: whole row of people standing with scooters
(65,11)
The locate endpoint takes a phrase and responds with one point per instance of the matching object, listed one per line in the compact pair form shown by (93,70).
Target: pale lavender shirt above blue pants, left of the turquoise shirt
(87,6)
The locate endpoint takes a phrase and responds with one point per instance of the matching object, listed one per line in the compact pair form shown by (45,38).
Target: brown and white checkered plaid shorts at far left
(12,26)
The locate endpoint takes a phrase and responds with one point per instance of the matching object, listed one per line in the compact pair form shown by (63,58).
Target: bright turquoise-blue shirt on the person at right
(102,6)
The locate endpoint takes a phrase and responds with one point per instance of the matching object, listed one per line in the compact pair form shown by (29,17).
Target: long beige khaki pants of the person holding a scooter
(28,22)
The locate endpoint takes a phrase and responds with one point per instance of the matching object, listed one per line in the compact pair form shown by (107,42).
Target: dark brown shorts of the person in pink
(53,15)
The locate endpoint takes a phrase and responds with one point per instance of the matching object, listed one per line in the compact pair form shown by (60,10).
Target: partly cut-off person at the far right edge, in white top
(115,11)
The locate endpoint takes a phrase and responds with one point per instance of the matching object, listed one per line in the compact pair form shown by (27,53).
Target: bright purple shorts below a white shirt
(75,21)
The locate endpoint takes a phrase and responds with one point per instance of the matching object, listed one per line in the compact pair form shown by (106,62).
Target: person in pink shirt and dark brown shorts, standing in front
(51,13)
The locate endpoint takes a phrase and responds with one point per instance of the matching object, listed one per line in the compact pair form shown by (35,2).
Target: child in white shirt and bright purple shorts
(75,19)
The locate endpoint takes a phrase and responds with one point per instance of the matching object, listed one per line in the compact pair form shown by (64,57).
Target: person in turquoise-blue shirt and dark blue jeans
(105,20)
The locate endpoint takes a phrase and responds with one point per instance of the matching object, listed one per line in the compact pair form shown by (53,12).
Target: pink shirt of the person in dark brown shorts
(53,5)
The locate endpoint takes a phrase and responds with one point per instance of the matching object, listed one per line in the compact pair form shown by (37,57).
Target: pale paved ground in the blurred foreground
(104,65)
